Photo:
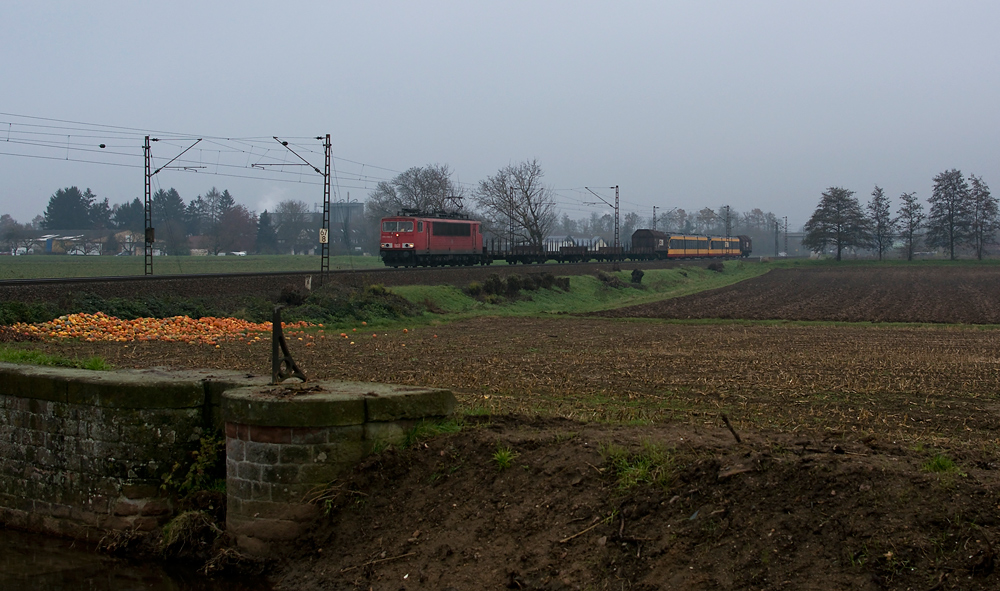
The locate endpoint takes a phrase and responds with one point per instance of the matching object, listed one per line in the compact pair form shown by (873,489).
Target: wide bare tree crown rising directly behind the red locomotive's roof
(422,188)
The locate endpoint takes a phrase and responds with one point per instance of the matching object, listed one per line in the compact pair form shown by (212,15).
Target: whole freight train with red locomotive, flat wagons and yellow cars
(418,239)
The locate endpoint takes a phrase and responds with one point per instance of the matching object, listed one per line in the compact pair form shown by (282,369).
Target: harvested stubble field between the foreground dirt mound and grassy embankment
(935,385)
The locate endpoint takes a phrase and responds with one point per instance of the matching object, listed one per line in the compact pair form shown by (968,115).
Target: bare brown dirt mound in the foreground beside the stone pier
(808,510)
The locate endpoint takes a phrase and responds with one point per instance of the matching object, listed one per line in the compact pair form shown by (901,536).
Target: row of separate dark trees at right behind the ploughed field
(963,215)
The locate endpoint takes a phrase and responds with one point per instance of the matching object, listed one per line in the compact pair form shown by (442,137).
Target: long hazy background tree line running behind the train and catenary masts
(514,204)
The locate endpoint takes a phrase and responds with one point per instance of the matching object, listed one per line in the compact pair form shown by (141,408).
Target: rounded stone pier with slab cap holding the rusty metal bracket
(284,447)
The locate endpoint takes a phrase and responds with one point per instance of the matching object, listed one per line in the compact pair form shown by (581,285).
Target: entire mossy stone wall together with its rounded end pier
(84,452)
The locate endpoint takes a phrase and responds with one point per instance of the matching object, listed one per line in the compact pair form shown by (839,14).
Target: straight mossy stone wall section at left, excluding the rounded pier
(84,452)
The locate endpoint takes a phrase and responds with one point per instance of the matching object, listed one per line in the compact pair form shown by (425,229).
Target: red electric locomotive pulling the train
(413,239)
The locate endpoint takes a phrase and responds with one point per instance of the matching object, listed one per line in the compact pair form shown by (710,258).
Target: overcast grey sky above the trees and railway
(681,104)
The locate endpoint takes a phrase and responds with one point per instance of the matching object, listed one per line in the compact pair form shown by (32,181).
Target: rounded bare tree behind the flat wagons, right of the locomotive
(515,195)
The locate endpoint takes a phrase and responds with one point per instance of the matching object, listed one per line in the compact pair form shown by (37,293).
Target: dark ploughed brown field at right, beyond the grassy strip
(957,294)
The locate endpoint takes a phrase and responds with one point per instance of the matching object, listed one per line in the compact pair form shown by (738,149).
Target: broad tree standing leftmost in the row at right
(838,222)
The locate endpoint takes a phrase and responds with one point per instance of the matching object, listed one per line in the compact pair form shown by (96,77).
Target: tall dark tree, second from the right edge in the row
(950,221)
